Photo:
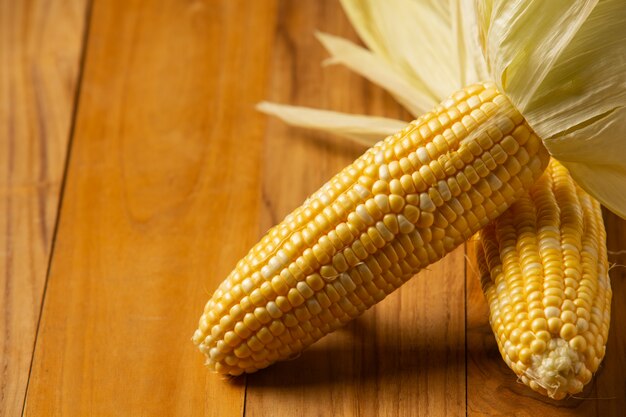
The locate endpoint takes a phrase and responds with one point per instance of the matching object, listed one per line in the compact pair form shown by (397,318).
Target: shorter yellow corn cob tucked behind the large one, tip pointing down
(544,272)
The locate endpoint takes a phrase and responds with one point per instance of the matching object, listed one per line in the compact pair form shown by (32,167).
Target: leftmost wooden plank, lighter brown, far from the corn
(40,48)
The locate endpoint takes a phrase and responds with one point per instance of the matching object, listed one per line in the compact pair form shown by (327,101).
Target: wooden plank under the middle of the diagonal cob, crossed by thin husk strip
(403,357)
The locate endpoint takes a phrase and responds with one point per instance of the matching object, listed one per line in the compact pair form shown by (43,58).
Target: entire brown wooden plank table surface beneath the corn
(135,172)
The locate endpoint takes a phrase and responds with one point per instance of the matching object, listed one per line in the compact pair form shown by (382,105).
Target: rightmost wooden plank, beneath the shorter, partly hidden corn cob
(492,388)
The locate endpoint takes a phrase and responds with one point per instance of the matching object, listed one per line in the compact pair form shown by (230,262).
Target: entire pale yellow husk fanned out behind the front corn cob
(561,62)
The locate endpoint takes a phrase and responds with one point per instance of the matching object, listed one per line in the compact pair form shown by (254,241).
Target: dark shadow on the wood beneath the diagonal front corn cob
(358,352)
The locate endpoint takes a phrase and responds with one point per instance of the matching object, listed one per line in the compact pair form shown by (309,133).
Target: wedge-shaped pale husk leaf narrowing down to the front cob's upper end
(521,40)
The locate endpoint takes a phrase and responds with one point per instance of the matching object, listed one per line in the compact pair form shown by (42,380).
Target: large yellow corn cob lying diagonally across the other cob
(401,206)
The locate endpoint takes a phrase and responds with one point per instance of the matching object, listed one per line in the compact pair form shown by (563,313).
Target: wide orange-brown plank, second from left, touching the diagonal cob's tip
(160,201)
